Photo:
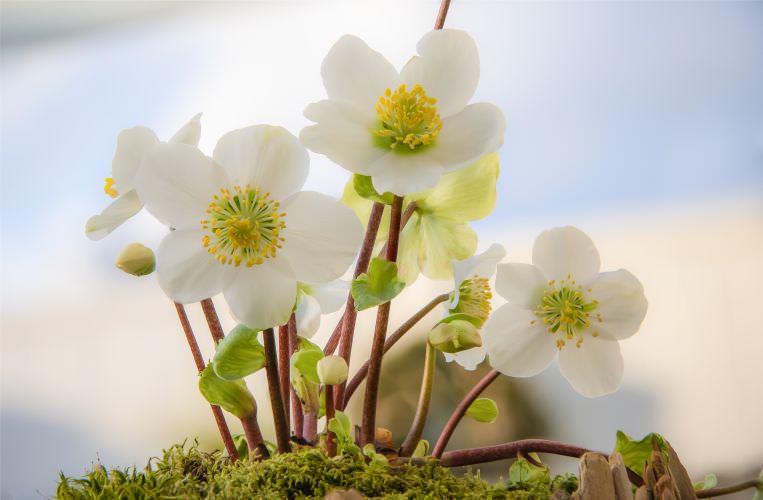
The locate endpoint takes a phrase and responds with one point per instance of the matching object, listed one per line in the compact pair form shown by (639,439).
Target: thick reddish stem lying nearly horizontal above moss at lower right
(473,456)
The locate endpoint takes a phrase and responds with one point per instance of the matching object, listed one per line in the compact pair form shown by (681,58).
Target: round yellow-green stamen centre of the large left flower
(244,226)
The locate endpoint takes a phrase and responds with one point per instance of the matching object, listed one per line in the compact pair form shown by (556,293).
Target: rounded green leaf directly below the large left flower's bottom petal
(239,354)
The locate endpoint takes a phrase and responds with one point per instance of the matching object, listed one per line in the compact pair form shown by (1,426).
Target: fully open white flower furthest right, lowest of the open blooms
(562,303)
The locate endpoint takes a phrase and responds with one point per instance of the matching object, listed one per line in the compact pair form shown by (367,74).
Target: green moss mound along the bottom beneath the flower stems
(185,472)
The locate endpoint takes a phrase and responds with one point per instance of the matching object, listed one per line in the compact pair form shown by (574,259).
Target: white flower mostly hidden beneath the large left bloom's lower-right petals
(318,299)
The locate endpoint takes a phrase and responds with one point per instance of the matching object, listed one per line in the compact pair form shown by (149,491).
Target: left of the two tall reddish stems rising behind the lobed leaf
(350,313)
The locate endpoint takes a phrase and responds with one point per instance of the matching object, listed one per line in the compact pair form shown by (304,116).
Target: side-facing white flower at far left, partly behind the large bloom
(132,145)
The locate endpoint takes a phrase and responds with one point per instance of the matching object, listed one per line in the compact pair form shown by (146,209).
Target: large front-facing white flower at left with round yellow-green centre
(242,226)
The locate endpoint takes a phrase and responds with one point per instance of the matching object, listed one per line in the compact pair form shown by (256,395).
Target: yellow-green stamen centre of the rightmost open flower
(566,311)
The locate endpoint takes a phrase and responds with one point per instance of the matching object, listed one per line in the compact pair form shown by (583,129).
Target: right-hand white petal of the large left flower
(321,237)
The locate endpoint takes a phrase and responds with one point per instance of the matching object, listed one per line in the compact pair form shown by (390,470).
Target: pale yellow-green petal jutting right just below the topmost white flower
(466,194)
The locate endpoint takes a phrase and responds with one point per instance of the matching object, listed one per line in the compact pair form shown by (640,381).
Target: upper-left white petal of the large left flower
(177,183)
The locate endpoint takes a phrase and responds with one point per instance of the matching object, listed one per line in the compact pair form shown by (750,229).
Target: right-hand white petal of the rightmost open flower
(622,304)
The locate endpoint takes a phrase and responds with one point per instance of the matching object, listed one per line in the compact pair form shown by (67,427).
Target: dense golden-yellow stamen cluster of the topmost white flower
(408,118)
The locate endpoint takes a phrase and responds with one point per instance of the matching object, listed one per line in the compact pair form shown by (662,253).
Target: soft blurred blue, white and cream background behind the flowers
(639,122)
